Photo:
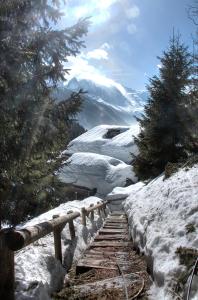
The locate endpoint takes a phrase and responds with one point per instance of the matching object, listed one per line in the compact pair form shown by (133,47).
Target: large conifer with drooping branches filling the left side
(33,128)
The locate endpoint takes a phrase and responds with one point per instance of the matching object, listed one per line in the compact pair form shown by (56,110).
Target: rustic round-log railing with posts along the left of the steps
(12,240)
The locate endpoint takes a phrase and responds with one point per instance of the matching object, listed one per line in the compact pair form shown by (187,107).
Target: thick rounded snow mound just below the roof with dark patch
(96,171)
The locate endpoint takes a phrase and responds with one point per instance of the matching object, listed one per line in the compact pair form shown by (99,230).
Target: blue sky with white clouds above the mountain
(126,36)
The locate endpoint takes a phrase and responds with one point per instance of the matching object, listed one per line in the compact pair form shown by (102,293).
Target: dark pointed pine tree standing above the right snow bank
(163,134)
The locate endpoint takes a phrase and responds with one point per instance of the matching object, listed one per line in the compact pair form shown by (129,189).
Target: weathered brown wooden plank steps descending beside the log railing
(109,268)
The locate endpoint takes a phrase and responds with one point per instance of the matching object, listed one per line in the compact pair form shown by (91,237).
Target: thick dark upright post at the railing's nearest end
(7,280)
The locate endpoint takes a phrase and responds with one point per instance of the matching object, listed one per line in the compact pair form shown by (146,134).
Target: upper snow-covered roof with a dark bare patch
(121,146)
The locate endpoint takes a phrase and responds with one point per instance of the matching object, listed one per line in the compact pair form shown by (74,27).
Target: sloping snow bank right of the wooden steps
(158,214)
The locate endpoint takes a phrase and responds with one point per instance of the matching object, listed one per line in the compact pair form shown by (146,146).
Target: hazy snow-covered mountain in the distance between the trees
(107,103)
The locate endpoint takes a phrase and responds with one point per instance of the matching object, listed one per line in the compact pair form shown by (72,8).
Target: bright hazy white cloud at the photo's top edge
(108,17)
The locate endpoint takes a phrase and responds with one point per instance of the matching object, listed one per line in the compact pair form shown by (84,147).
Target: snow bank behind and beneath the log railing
(37,272)
